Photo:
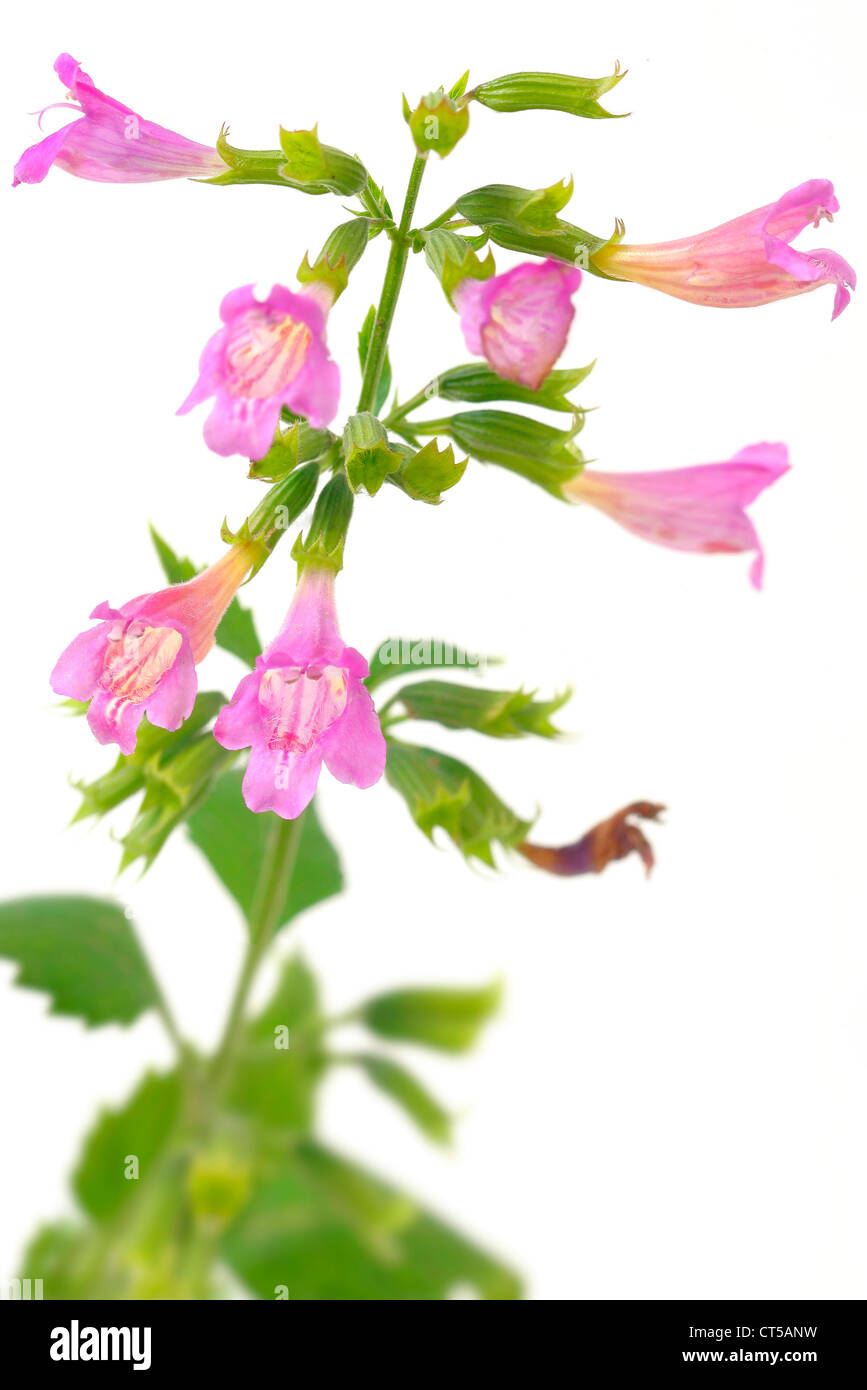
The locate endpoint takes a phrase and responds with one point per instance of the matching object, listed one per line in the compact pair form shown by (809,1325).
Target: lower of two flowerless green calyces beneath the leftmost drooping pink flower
(174,787)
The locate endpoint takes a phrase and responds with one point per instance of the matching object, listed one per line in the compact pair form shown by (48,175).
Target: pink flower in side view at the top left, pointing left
(110,144)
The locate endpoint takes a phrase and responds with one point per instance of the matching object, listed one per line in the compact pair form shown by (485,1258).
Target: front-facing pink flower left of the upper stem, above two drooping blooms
(267,355)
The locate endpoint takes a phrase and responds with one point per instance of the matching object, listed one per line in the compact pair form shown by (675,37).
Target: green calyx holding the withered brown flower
(444,792)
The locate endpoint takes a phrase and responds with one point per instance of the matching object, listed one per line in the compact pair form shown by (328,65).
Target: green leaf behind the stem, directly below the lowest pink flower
(234,840)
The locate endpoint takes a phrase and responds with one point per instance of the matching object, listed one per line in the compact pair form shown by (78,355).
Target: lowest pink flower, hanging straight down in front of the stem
(305,705)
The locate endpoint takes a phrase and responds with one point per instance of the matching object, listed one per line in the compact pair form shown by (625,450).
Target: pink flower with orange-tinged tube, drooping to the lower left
(142,658)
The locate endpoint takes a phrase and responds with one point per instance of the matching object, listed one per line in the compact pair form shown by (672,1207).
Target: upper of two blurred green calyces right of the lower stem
(445,1020)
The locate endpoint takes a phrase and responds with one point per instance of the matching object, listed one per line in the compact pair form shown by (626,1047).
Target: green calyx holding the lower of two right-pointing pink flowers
(537,452)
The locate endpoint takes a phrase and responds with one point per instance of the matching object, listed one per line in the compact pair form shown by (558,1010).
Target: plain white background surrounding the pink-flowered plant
(672,1104)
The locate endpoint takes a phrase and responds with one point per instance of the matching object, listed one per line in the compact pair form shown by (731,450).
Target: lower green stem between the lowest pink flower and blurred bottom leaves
(272,890)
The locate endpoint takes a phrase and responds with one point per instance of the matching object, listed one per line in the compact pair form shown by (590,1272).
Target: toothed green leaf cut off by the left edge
(81,951)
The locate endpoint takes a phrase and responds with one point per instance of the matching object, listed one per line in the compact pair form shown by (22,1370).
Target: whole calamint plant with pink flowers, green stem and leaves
(212,1181)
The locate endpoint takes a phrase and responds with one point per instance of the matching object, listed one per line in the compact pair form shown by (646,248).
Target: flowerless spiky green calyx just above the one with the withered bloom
(497,714)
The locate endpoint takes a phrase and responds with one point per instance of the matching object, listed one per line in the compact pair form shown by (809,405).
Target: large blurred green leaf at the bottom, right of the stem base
(304,1239)
